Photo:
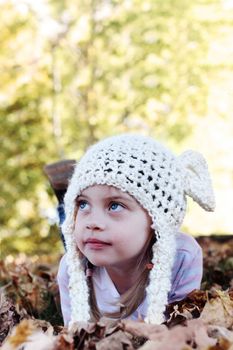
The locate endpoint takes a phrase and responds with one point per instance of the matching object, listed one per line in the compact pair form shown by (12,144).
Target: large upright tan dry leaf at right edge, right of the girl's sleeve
(219,311)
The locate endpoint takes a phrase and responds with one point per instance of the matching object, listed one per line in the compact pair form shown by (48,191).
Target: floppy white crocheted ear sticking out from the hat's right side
(197,181)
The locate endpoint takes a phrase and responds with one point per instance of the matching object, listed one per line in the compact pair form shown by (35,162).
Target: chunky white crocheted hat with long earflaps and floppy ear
(159,181)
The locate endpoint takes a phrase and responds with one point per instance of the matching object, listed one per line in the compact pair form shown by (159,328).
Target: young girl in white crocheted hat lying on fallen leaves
(126,257)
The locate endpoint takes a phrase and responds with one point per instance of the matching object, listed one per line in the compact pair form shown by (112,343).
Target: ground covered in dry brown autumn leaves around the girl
(30,316)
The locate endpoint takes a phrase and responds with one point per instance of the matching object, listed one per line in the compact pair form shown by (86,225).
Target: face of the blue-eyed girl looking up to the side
(111,228)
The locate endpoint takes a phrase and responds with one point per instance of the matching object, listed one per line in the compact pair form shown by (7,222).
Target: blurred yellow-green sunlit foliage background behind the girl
(73,72)
